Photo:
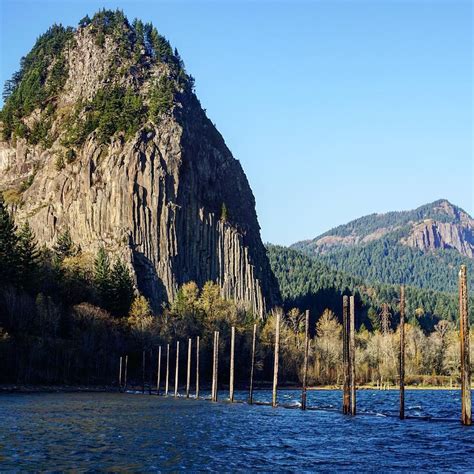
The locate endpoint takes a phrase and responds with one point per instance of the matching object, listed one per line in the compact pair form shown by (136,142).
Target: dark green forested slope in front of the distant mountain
(308,282)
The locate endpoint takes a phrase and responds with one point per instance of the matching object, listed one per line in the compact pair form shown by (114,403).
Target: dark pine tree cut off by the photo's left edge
(8,246)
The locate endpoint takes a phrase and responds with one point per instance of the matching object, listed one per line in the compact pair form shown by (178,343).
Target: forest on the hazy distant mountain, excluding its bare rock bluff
(386,260)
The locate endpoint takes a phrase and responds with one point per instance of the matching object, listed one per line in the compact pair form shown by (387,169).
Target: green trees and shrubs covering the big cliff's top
(115,108)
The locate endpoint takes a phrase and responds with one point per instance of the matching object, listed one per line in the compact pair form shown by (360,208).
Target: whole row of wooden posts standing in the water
(349,383)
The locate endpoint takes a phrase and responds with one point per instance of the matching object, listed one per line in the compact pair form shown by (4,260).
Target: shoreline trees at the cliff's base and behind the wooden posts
(66,316)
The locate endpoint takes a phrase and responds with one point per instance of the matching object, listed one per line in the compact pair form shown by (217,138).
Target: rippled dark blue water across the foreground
(90,431)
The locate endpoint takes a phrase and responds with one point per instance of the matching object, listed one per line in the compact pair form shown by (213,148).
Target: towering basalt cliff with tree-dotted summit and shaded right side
(154,183)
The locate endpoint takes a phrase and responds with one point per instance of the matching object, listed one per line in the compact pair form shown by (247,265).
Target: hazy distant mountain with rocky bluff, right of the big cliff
(423,247)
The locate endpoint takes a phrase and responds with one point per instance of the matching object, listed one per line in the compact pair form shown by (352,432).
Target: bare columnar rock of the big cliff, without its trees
(155,198)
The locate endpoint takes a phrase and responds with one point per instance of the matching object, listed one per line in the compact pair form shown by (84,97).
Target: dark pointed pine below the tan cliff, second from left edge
(28,257)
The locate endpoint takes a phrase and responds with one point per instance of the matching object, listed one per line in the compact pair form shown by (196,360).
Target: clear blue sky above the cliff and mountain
(335,109)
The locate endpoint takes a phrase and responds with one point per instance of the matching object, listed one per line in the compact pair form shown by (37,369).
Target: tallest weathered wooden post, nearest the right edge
(466,412)
